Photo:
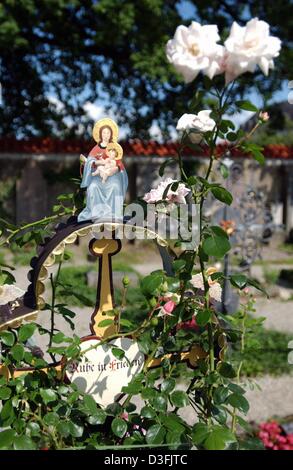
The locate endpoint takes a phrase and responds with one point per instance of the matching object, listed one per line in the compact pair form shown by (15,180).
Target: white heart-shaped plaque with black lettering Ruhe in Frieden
(100,374)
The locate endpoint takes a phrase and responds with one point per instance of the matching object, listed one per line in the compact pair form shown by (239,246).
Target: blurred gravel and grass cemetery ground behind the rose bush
(266,373)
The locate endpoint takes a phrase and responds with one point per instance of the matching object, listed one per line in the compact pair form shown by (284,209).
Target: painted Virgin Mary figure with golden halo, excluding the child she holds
(104,200)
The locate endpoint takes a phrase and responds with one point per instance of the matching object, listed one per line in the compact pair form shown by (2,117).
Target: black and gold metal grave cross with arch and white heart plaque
(99,372)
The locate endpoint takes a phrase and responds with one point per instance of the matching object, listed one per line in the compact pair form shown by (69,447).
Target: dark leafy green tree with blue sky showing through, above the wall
(114,50)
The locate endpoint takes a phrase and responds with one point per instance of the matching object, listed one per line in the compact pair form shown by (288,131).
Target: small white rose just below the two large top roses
(197,124)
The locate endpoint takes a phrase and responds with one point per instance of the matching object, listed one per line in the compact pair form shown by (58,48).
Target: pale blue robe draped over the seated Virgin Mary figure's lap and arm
(104,201)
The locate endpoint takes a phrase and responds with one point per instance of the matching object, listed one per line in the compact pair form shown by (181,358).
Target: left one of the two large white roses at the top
(194,49)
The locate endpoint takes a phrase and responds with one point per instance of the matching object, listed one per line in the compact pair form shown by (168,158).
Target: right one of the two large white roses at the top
(249,46)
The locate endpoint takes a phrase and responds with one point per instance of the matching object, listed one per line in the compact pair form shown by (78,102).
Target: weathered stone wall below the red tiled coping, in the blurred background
(30,183)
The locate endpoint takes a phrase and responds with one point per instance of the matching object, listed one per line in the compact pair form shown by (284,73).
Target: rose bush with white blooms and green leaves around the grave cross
(41,410)
